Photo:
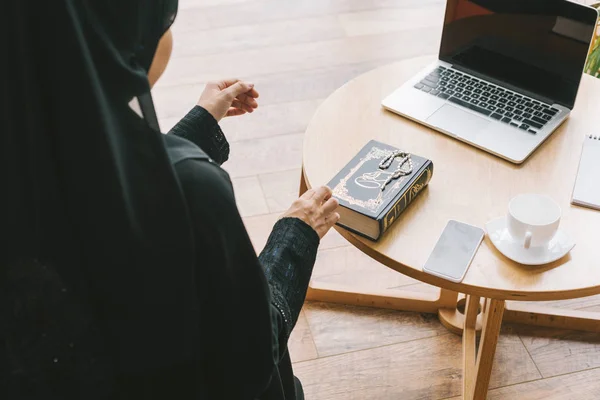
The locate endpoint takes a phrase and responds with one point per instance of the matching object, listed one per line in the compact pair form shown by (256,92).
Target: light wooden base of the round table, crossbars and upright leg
(481,316)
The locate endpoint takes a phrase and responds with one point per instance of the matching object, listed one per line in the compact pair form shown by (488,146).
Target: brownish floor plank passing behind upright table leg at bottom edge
(421,369)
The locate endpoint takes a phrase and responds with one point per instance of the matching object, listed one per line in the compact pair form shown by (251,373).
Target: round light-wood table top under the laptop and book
(468,185)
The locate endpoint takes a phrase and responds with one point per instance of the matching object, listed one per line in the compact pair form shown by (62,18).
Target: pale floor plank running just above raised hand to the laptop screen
(385,47)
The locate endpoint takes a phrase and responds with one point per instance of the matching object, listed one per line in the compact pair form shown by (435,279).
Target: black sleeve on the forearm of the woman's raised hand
(201,128)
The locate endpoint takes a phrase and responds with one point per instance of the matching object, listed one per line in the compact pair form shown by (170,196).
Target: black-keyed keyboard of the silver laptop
(490,100)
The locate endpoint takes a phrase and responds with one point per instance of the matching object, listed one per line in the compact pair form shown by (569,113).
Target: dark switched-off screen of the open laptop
(537,47)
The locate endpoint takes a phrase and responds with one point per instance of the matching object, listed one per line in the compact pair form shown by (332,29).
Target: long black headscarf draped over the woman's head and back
(87,186)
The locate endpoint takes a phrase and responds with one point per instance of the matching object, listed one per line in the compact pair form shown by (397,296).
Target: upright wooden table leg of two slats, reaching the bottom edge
(478,369)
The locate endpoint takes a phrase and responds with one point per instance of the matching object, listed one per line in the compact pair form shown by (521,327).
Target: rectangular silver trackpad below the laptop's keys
(458,122)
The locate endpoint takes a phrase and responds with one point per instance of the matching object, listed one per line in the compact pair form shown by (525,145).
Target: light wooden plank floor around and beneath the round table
(297,53)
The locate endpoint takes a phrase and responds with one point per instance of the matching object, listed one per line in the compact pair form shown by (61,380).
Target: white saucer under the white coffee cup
(557,248)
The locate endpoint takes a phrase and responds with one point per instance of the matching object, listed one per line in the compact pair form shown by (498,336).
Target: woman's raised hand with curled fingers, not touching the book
(228,98)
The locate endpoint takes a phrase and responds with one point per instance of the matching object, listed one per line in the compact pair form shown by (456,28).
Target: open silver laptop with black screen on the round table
(507,75)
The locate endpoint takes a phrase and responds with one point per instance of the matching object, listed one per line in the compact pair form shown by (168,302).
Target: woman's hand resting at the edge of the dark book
(317,208)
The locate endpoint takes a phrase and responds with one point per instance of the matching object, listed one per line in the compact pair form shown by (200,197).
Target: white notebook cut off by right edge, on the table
(587,185)
